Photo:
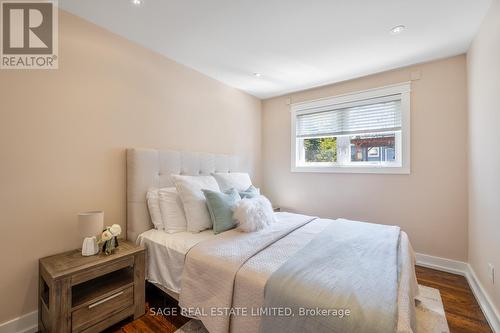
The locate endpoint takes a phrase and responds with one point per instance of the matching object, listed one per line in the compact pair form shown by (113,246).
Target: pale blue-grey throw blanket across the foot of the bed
(351,266)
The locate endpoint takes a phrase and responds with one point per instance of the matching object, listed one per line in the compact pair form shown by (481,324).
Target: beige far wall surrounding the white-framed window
(430,204)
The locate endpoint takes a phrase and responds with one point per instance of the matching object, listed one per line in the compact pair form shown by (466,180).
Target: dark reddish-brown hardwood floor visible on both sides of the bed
(462,311)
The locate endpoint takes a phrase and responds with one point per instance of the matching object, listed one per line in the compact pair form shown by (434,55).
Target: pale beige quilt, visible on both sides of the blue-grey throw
(231,271)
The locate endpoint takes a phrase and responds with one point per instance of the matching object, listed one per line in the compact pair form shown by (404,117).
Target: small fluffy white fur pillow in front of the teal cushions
(254,214)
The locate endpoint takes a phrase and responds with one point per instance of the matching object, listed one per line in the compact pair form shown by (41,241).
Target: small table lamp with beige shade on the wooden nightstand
(90,225)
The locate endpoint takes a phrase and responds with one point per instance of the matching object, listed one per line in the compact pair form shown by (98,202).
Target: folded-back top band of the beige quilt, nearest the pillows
(211,267)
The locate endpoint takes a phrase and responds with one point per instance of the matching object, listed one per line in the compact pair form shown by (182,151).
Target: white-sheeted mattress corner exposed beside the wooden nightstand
(166,254)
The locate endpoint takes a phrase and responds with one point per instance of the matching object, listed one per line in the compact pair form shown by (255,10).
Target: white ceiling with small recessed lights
(294,44)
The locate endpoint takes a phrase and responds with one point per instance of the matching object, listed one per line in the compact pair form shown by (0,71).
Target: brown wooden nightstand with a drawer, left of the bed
(88,294)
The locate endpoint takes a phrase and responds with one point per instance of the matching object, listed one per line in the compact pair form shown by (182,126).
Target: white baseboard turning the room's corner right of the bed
(462,268)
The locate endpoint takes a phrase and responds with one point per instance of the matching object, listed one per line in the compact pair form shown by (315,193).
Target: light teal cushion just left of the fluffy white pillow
(220,206)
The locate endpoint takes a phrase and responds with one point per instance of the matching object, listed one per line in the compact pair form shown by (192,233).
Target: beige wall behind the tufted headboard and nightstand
(63,135)
